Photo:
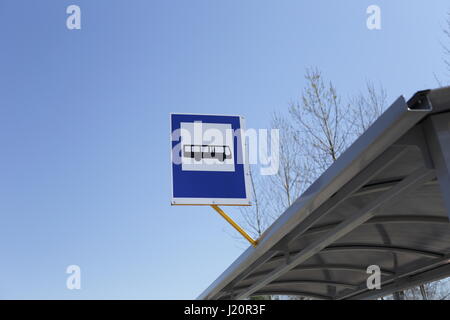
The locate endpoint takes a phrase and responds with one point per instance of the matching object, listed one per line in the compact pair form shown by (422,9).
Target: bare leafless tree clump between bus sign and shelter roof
(313,134)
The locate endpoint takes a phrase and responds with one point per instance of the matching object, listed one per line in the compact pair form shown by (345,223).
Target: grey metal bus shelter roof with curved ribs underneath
(402,160)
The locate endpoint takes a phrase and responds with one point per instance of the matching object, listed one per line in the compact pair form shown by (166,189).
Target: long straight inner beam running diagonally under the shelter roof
(412,181)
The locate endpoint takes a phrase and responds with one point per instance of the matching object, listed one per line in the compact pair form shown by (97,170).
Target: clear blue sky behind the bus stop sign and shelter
(84,123)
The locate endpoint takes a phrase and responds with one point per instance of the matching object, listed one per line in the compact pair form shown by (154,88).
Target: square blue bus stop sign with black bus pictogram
(208,166)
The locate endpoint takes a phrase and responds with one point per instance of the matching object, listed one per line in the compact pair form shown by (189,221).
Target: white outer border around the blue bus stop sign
(214,201)
